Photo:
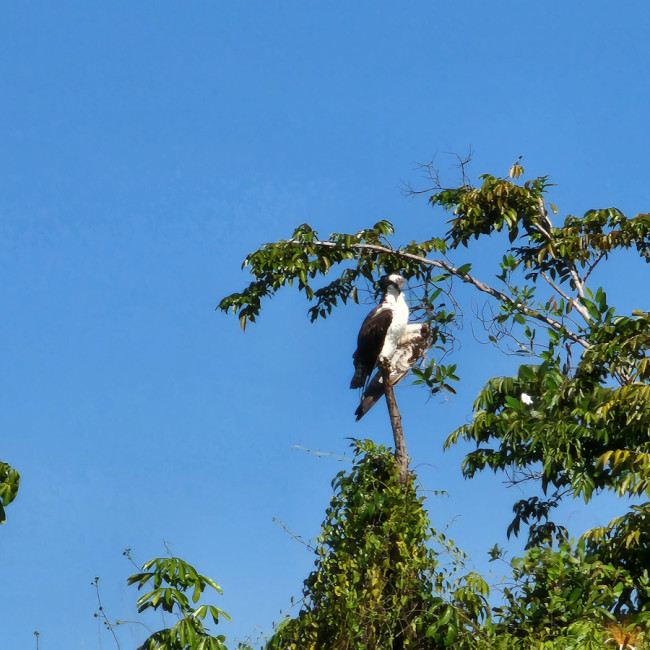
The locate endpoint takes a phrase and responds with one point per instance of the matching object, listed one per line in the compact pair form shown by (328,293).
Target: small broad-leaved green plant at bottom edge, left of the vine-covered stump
(172,580)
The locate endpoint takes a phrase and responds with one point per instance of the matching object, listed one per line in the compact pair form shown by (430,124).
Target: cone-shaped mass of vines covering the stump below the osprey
(378,582)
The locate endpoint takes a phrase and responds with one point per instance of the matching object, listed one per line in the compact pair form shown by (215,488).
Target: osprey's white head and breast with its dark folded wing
(381,331)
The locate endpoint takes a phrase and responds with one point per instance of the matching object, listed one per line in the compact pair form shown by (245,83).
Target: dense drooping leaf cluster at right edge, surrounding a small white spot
(582,432)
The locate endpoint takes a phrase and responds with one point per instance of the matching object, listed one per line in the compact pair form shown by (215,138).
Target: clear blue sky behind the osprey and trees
(145,149)
